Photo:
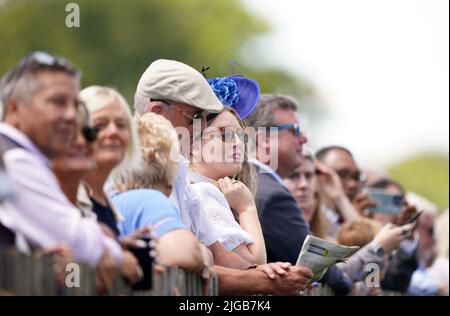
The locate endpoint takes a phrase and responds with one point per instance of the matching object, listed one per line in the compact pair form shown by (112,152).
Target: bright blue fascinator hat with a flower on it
(237,92)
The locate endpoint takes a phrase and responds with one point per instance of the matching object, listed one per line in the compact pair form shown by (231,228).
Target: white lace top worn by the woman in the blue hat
(219,213)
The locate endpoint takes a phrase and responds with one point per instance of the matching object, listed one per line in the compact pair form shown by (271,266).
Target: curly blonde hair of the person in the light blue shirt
(157,161)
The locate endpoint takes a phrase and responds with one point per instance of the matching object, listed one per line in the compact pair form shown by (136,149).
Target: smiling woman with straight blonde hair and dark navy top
(116,148)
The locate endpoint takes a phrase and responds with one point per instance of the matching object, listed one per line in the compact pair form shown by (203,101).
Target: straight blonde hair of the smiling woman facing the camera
(98,97)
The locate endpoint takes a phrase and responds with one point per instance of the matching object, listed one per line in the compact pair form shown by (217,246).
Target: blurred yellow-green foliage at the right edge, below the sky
(426,174)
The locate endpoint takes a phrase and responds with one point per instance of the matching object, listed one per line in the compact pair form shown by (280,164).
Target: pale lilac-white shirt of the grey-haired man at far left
(41,212)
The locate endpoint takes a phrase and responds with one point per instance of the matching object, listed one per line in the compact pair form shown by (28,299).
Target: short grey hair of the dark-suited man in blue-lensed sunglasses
(263,115)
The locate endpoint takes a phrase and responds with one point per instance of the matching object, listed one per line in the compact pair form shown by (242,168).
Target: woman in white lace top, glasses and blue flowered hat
(221,174)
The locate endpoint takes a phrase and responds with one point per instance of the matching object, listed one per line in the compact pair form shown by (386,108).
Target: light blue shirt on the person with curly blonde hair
(146,207)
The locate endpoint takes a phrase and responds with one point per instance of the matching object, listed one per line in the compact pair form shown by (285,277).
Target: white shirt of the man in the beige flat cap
(190,207)
